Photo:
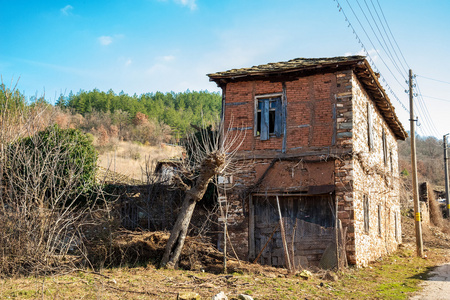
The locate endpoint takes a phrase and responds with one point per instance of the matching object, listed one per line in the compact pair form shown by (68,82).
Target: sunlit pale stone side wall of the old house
(375,178)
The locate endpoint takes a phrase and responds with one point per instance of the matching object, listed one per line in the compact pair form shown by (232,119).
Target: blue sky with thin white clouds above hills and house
(142,46)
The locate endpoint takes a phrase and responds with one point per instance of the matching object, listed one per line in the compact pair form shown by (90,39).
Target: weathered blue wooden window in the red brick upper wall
(269,116)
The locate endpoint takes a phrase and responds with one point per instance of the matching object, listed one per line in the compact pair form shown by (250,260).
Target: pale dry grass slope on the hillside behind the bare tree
(130,159)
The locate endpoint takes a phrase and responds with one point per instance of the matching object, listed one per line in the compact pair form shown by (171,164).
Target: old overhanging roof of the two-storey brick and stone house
(304,66)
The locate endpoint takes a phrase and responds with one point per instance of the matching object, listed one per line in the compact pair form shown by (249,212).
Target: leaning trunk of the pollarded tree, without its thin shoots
(209,167)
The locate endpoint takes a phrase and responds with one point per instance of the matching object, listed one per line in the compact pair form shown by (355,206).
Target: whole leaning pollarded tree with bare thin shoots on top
(210,153)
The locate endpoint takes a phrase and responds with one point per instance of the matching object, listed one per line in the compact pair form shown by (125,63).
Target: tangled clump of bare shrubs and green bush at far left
(43,178)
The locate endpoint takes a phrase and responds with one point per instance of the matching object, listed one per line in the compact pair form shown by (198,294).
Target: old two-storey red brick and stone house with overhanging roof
(320,140)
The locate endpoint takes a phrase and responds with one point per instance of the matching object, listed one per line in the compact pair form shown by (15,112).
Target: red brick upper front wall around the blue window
(309,119)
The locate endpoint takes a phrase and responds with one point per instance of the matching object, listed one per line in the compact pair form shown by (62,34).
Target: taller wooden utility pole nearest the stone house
(418,219)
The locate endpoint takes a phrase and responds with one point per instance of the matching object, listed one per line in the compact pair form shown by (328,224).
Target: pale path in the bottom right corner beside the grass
(437,287)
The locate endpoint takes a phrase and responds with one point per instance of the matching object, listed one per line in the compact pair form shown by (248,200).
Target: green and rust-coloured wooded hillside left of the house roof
(161,111)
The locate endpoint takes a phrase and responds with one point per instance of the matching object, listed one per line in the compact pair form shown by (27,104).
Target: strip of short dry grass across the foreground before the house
(393,278)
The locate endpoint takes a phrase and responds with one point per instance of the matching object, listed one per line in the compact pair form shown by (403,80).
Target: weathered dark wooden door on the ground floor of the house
(308,222)
